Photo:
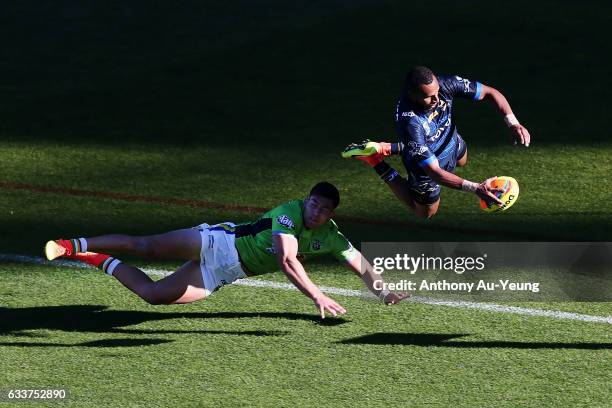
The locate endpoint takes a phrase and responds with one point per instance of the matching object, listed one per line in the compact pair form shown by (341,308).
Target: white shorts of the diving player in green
(219,261)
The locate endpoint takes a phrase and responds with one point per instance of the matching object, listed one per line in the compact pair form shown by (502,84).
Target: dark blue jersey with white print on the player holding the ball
(430,135)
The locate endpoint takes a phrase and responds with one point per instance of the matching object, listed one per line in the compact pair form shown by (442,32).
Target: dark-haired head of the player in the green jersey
(320,204)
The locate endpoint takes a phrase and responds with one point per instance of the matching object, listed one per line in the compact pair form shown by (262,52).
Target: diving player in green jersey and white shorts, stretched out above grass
(219,254)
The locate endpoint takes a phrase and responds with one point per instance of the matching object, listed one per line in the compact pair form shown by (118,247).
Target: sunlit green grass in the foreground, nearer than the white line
(262,347)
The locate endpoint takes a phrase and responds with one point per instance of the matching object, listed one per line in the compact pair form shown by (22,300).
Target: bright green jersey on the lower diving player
(254,240)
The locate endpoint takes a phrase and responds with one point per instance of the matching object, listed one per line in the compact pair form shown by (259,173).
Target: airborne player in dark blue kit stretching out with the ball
(430,146)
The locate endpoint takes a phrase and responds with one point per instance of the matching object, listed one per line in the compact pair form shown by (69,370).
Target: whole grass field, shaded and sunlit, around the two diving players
(110,110)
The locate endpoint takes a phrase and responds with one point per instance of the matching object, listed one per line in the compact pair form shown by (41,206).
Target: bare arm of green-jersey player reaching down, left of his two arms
(286,247)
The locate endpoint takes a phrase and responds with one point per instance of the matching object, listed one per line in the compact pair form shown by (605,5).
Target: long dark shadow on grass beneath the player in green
(97,319)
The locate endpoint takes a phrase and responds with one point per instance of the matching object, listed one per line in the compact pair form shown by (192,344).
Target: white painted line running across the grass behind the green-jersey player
(553,314)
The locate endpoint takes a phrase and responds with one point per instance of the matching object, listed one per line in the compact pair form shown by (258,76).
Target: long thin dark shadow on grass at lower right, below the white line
(440,340)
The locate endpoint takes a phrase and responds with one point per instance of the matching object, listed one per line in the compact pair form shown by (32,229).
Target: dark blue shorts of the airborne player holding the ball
(423,189)
